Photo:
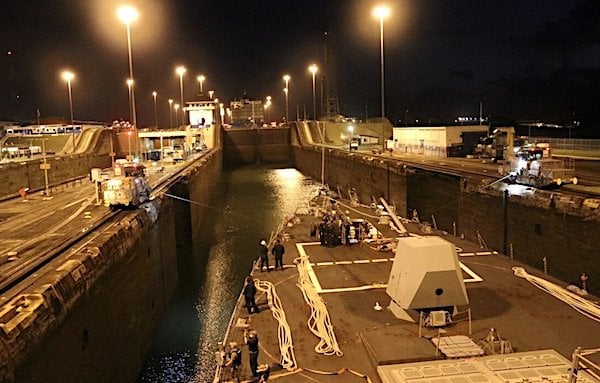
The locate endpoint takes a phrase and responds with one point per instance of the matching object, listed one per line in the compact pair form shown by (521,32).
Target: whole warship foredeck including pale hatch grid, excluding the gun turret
(373,345)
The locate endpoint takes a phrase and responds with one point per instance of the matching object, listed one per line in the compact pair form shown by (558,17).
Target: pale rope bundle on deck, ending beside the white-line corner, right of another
(319,322)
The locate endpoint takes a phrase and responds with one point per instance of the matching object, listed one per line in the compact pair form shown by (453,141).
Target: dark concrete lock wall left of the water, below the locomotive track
(103,308)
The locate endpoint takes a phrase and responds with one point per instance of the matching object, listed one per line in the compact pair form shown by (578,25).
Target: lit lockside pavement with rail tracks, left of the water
(35,230)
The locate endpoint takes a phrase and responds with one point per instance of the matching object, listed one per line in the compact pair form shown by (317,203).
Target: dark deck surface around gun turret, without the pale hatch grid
(521,313)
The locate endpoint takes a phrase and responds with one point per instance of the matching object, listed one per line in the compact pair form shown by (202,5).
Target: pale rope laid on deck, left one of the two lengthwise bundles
(284,333)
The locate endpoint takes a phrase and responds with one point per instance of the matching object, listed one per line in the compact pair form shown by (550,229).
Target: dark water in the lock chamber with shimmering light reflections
(250,204)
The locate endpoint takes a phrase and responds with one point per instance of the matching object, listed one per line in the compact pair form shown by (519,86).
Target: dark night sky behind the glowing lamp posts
(524,59)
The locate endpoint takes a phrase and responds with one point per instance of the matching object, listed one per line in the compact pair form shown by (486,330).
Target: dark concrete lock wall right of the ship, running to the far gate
(563,231)
